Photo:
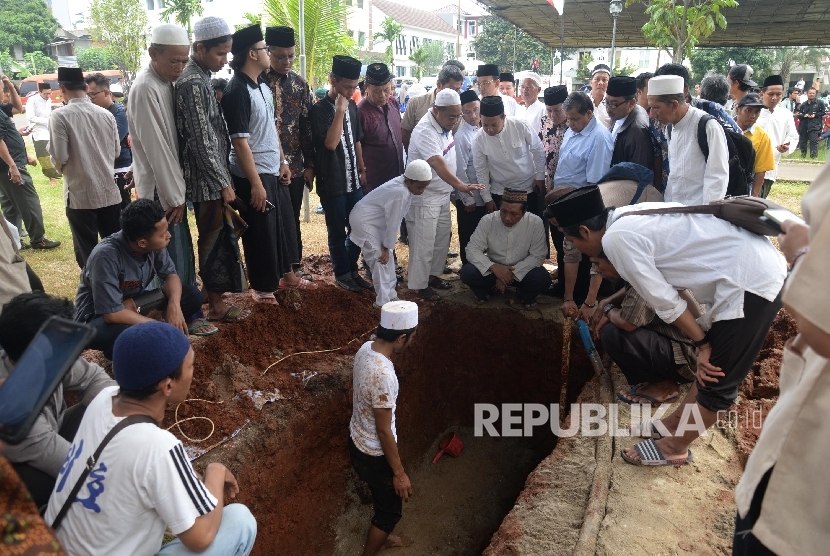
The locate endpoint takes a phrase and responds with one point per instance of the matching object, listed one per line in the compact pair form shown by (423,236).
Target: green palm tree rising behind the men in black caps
(325,31)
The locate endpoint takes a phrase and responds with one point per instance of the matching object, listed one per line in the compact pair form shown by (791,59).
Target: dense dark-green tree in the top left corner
(26,23)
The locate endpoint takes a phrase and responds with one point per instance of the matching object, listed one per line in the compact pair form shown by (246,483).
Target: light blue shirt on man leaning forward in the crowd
(584,157)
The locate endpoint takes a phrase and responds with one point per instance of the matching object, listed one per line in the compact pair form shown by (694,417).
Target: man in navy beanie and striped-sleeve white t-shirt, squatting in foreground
(143,482)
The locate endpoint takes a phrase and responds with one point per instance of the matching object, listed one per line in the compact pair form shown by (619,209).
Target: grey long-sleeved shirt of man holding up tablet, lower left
(43,448)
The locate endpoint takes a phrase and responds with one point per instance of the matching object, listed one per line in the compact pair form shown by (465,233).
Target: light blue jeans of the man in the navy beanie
(235,537)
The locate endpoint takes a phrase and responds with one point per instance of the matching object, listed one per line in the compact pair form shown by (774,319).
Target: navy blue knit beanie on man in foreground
(146,353)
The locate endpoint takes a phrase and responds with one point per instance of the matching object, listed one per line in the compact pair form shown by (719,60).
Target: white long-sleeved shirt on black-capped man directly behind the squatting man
(513,158)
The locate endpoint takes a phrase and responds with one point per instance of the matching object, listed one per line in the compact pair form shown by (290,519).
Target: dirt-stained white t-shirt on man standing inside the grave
(375,386)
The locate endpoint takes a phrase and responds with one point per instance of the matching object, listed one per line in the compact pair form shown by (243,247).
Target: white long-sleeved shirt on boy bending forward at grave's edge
(377,216)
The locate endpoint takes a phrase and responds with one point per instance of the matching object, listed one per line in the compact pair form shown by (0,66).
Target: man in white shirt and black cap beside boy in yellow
(779,124)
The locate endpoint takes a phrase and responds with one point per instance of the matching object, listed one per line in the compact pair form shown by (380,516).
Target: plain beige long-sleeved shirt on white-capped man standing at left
(155,141)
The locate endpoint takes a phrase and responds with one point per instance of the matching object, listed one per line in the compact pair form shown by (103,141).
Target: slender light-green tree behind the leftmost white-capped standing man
(122,25)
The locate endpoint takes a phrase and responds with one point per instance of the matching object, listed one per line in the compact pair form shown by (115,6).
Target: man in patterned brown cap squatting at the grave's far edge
(508,249)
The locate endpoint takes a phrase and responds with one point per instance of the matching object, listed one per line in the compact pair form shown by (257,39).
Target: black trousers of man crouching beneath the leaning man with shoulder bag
(642,355)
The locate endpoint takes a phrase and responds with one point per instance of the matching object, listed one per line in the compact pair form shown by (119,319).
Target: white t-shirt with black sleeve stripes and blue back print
(142,483)
